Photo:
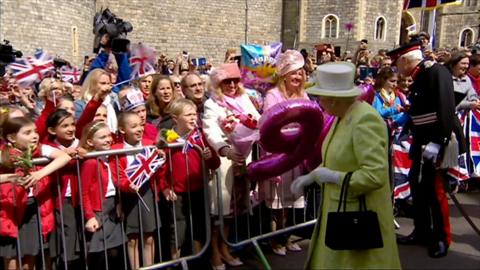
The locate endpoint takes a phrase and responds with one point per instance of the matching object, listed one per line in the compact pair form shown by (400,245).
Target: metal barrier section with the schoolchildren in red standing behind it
(160,261)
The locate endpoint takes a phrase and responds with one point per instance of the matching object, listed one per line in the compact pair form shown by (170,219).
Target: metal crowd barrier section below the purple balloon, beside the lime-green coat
(308,213)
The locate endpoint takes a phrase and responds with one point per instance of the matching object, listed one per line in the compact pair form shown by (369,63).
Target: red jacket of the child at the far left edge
(13,201)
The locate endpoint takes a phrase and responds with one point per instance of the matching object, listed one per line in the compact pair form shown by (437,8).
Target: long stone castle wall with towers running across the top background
(208,28)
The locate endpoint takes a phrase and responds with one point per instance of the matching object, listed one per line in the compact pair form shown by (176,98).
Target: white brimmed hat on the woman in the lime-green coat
(334,79)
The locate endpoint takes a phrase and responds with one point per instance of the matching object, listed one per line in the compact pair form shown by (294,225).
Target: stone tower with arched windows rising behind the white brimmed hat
(324,21)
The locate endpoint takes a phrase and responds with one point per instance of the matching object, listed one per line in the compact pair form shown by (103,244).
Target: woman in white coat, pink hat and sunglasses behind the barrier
(228,98)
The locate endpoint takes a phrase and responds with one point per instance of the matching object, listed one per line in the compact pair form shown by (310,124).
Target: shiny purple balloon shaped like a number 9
(288,148)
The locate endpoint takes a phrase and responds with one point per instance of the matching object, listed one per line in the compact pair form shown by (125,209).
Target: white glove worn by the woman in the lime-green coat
(320,175)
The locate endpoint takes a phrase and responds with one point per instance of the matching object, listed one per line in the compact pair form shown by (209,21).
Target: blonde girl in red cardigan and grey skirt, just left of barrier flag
(102,210)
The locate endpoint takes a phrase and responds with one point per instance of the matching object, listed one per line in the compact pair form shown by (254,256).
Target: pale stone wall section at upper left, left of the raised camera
(61,27)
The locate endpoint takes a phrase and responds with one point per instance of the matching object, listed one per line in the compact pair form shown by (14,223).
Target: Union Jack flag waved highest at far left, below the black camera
(27,71)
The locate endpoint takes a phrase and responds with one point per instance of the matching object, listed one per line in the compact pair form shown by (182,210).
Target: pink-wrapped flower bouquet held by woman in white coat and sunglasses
(241,131)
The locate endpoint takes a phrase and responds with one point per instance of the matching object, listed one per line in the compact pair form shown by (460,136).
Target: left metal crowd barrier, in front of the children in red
(163,258)
